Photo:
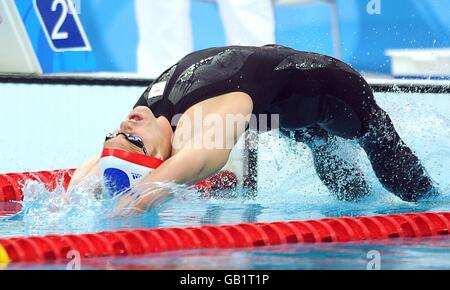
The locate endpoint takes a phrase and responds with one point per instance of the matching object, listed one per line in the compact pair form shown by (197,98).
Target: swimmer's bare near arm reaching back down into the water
(189,165)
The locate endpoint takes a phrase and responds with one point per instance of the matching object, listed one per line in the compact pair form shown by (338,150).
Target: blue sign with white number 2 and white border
(61,25)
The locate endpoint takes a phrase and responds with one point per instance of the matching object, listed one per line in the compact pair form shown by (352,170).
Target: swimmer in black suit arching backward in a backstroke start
(316,98)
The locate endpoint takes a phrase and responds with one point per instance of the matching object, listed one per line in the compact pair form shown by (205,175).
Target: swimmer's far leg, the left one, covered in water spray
(342,177)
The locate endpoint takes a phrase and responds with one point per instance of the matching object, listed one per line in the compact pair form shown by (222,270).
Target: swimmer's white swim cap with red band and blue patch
(121,170)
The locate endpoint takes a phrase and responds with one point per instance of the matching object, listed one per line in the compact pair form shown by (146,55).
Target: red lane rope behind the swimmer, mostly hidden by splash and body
(11,185)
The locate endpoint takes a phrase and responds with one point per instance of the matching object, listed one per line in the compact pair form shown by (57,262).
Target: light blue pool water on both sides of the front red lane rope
(288,190)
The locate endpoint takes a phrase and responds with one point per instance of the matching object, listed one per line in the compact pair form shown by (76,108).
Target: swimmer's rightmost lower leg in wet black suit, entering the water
(394,163)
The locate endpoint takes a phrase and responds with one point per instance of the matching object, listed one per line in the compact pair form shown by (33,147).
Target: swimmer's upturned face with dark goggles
(140,122)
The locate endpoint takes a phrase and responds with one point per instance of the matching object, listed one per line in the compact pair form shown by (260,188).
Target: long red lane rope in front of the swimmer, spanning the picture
(138,242)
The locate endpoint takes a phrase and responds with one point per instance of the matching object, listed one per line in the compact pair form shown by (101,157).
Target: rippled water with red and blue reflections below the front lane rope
(399,254)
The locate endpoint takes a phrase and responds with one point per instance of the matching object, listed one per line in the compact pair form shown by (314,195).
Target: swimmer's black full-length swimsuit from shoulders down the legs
(311,93)
